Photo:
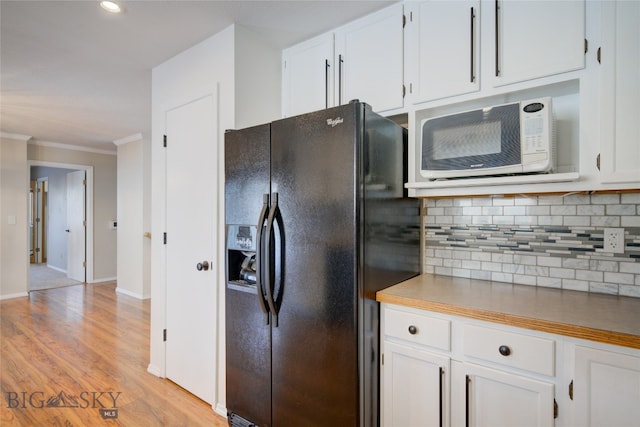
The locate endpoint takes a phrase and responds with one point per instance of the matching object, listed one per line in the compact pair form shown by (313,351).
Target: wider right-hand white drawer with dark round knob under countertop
(516,350)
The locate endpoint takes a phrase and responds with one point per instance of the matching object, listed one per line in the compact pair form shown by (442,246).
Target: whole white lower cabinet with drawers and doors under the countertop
(441,370)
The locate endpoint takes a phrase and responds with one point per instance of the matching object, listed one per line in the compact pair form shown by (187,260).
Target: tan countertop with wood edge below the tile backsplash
(597,317)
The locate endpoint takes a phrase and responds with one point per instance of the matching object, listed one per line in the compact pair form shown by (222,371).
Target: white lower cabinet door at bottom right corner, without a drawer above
(606,388)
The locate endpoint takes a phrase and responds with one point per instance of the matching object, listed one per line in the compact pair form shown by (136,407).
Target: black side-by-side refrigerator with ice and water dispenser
(317,221)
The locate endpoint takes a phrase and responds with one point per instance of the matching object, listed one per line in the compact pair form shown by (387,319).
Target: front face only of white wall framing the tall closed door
(188,75)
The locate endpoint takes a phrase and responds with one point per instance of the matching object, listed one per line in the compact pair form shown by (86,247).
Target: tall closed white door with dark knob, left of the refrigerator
(192,176)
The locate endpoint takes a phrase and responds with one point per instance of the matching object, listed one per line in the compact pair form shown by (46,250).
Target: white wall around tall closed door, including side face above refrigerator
(246,73)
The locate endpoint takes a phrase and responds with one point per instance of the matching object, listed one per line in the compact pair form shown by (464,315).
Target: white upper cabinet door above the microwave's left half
(442,49)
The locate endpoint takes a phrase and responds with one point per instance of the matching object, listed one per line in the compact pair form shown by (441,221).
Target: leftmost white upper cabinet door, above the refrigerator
(307,76)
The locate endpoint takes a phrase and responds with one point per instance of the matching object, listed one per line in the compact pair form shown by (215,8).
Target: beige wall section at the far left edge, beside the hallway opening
(14,191)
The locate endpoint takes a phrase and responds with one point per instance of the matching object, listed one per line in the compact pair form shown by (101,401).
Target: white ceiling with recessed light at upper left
(73,74)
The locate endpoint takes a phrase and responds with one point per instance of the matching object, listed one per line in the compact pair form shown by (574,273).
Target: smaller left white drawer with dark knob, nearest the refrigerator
(418,328)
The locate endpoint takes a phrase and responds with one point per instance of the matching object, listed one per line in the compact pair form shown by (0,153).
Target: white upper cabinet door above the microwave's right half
(533,39)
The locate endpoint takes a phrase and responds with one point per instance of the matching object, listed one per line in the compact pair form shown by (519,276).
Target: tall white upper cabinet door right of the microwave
(620,92)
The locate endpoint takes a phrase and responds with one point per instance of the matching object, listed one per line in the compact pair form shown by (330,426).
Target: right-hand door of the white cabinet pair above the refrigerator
(369,60)
